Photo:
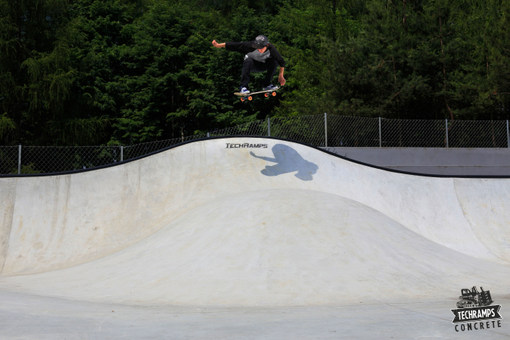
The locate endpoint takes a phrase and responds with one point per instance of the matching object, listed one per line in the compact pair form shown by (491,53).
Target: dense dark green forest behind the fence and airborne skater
(94,72)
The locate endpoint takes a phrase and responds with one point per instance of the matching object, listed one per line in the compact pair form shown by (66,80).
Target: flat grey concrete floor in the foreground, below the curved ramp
(33,317)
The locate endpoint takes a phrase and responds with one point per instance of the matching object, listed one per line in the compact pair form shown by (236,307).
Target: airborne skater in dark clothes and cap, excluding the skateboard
(260,56)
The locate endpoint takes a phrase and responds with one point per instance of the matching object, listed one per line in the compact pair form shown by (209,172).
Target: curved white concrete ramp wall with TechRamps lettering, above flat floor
(228,222)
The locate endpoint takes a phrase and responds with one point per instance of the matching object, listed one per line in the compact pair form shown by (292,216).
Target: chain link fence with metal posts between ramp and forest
(319,130)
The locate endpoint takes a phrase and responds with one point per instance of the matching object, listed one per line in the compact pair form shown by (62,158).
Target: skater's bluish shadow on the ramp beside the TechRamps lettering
(288,160)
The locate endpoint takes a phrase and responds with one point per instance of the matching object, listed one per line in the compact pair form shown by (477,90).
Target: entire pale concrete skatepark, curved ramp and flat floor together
(249,238)
